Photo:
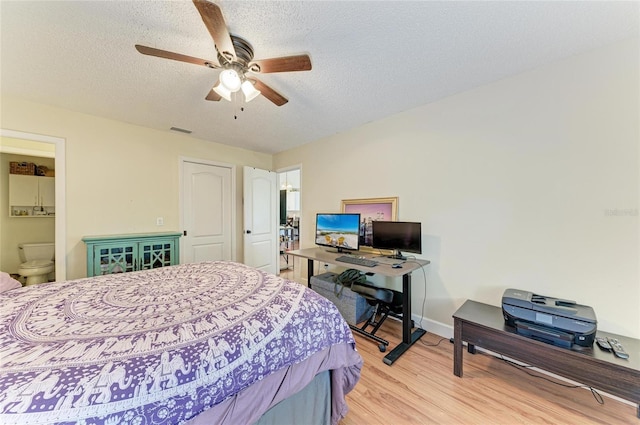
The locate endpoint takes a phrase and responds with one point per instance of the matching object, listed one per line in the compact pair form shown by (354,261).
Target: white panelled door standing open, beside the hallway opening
(261,219)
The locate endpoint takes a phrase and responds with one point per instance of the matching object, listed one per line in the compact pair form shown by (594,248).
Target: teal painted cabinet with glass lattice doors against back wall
(127,253)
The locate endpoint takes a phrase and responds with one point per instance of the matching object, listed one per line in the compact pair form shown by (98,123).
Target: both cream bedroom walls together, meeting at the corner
(531,182)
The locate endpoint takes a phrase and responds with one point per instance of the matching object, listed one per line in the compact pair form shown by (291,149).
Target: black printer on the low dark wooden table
(553,320)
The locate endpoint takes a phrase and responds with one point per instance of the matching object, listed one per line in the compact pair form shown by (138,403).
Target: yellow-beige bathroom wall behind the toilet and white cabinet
(15,230)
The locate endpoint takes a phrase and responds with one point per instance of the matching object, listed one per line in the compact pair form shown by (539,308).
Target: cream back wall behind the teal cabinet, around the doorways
(120,177)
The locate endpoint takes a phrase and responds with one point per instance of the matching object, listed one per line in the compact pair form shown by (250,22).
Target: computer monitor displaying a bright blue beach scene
(338,230)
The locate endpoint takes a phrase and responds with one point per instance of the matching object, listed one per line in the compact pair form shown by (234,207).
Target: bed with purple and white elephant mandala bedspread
(205,343)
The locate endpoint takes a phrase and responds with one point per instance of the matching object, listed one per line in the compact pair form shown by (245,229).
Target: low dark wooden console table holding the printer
(483,325)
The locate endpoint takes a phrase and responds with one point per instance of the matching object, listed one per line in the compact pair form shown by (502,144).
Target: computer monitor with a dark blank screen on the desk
(399,236)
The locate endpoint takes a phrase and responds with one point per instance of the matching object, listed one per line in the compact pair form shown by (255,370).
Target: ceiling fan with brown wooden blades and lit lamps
(235,59)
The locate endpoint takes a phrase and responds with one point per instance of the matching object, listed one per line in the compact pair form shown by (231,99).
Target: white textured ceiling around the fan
(370,59)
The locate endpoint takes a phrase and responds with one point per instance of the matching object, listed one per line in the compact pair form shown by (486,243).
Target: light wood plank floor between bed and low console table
(420,388)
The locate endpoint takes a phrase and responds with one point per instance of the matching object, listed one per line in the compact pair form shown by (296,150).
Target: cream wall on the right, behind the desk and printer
(531,182)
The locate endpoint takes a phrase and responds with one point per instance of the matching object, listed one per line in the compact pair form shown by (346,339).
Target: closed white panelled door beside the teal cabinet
(207,212)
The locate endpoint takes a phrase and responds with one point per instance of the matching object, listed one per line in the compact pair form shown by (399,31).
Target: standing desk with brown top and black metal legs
(323,256)
